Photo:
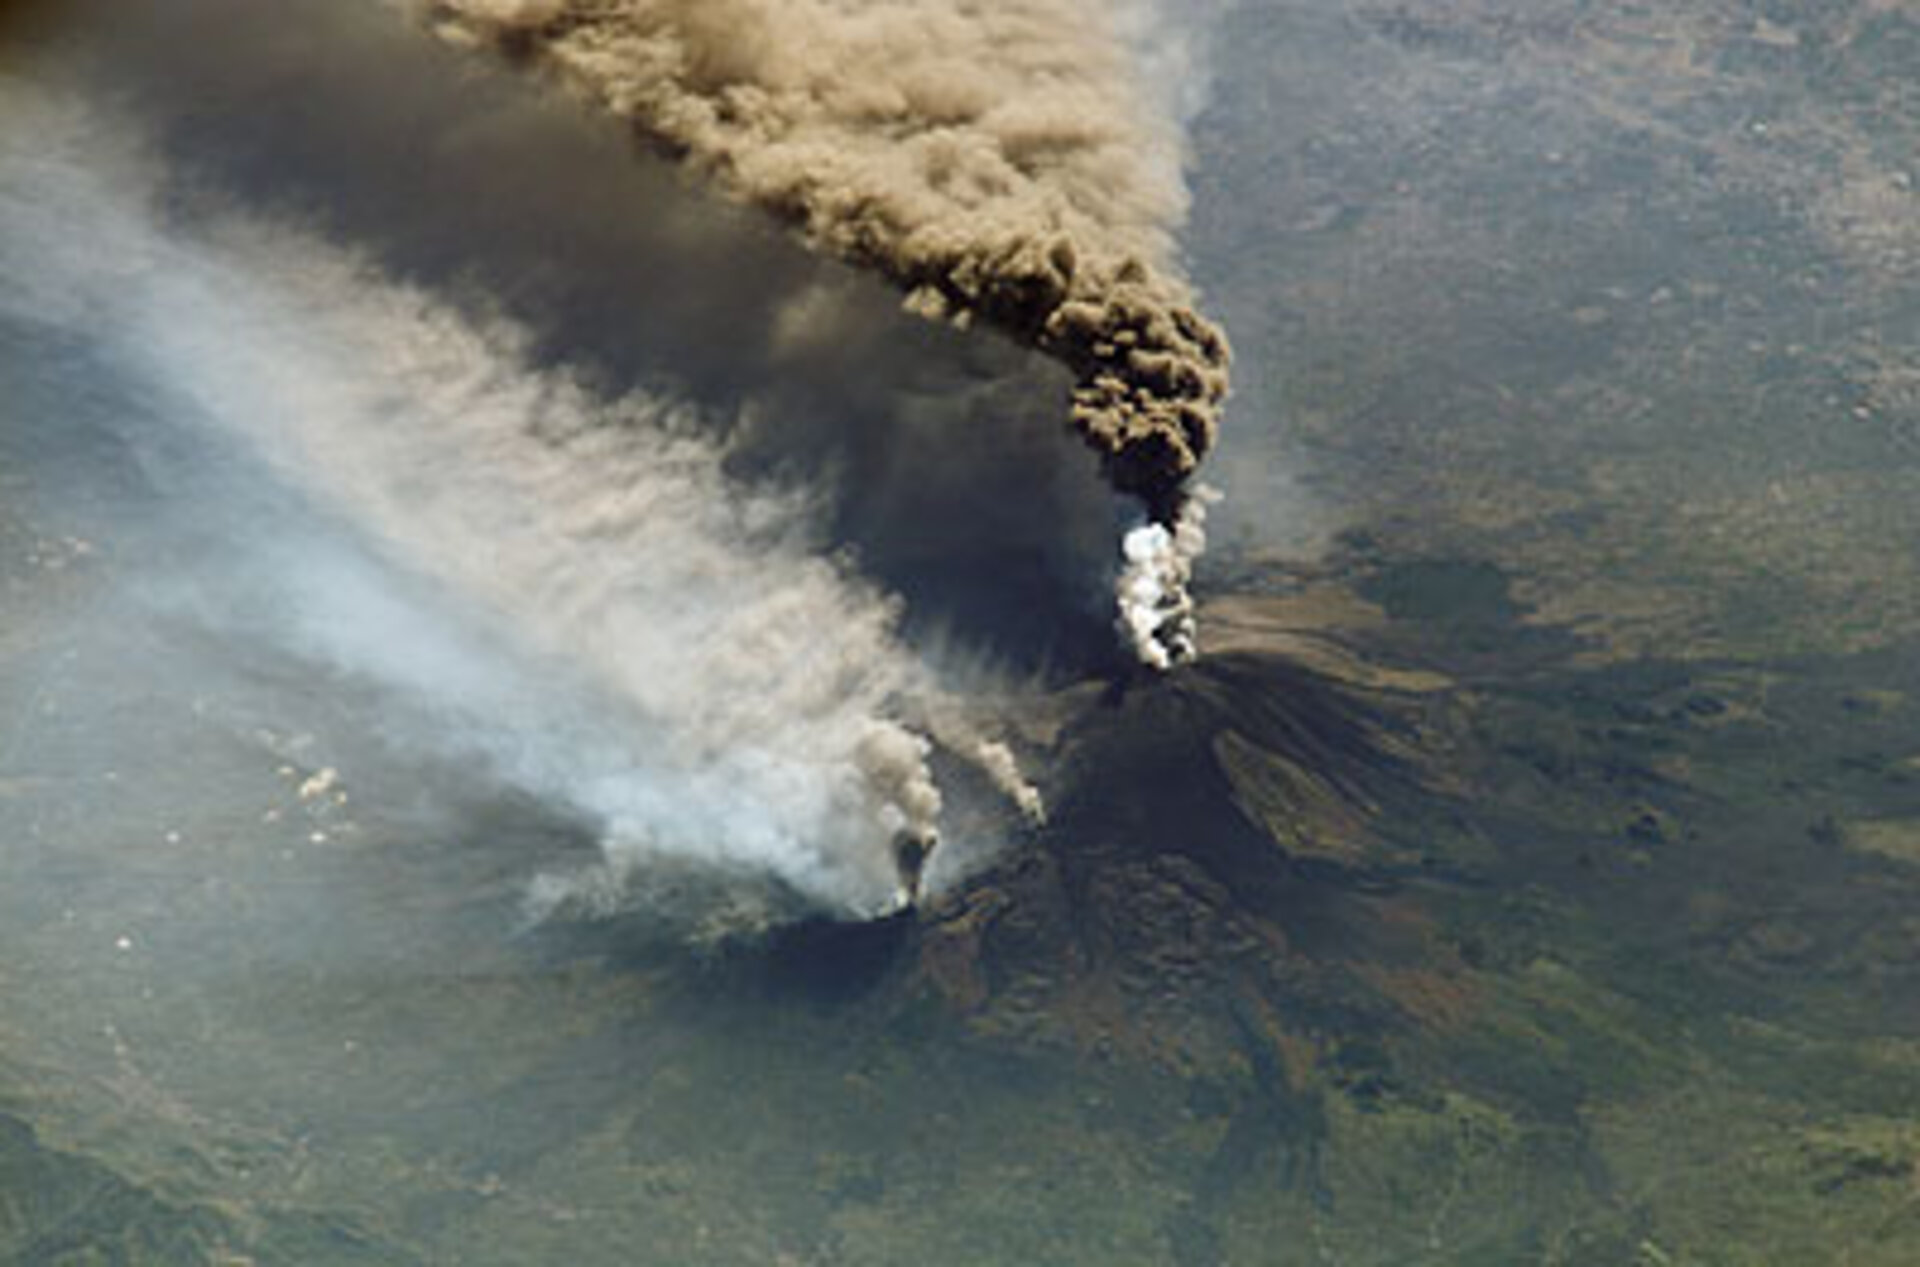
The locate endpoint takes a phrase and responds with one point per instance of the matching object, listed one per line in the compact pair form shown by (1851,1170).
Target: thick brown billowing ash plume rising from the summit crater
(994,160)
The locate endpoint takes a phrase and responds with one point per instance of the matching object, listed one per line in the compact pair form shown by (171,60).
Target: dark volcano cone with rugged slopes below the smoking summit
(1216,857)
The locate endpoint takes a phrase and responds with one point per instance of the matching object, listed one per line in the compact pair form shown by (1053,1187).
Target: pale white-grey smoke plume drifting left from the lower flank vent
(596,611)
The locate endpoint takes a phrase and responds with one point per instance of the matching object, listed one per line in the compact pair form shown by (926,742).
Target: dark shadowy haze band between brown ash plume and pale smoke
(940,452)
